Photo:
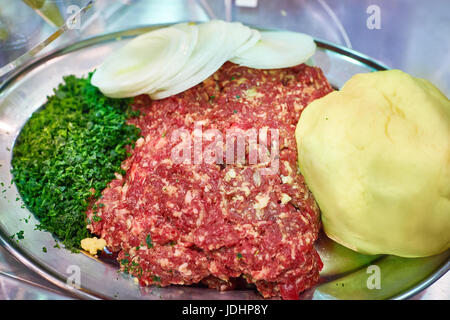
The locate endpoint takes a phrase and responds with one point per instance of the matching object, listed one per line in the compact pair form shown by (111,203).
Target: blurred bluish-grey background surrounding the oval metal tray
(412,35)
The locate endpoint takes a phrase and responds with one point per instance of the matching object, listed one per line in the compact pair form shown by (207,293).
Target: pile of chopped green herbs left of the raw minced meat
(68,152)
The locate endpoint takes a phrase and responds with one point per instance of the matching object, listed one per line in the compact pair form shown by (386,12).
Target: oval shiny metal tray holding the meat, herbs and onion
(26,91)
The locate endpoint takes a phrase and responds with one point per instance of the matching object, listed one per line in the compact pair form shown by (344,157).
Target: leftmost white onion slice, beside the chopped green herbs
(142,61)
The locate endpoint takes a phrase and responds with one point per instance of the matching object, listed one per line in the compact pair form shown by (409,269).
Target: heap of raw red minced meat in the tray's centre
(217,223)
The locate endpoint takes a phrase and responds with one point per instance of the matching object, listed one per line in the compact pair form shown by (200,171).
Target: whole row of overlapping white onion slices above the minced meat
(168,61)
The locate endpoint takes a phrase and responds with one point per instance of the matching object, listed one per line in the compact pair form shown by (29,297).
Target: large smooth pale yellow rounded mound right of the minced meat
(376,156)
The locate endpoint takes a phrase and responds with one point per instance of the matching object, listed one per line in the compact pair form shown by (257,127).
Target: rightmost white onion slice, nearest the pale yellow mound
(277,49)
